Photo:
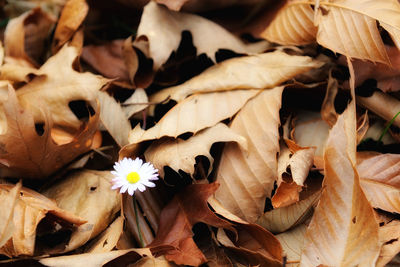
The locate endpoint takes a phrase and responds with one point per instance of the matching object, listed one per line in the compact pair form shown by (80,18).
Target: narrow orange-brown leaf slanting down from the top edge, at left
(72,16)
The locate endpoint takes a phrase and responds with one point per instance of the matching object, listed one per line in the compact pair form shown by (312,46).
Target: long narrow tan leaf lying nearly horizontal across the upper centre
(255,72)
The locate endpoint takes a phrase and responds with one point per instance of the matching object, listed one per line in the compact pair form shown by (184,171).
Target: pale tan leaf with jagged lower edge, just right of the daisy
(180,154)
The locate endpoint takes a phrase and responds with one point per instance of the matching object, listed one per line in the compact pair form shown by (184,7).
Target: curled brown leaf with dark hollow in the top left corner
(25,36)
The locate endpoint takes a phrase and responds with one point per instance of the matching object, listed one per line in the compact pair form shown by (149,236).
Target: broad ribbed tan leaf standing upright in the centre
(247,177)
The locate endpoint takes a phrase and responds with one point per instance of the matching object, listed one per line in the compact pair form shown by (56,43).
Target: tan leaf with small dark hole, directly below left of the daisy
(86,193)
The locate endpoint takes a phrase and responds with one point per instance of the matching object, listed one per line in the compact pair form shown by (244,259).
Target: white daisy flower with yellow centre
(131,175)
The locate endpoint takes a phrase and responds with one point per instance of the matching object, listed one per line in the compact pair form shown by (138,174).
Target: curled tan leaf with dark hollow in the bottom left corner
(29,211)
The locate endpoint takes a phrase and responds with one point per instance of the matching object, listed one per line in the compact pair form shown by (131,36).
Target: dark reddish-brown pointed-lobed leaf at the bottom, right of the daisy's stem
(174,236)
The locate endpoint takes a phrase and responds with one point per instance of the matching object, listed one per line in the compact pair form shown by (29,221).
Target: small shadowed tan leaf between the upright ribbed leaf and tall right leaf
(282,219)
